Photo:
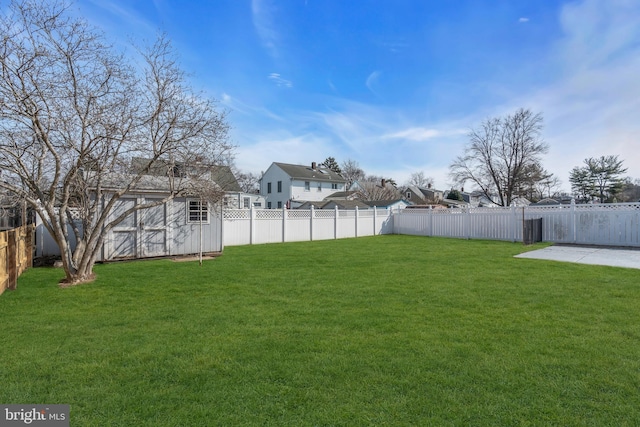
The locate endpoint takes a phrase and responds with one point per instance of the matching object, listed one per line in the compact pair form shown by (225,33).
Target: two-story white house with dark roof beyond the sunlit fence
(287,185)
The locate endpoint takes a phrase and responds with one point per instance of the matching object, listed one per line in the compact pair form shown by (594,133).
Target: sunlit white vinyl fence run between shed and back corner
(255,226)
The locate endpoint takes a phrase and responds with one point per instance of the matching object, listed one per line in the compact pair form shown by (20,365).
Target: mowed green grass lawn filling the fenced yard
(386,330)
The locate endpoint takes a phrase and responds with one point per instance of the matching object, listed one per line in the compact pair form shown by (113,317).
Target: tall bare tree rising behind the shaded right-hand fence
(499,154)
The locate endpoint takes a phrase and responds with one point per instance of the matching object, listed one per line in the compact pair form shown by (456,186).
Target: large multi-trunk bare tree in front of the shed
(75,115)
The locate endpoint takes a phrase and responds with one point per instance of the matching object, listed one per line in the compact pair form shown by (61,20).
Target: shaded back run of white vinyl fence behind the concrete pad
(605,224)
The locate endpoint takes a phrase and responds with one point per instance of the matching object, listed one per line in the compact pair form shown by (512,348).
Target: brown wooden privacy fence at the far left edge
(16,255)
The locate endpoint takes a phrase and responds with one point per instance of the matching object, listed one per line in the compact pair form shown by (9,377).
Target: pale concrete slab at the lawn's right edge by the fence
(629,258)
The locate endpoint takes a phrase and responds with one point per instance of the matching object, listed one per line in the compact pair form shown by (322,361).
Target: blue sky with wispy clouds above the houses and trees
(396,85)
